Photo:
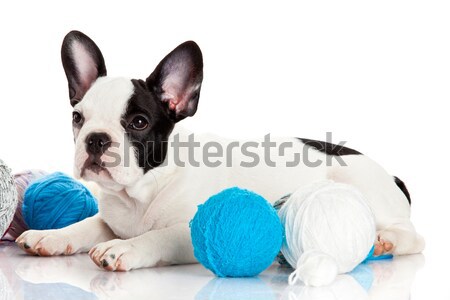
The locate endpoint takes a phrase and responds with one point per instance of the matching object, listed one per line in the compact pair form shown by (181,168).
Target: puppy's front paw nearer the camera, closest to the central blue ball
(115,255)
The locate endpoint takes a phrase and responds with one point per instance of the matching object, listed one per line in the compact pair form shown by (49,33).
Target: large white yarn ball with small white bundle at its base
(329,230)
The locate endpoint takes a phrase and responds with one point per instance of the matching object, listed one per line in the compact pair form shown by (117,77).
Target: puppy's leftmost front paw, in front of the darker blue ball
(44,243)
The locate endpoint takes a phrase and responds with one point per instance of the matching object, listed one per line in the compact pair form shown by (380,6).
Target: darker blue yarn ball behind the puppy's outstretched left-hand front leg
(56,201)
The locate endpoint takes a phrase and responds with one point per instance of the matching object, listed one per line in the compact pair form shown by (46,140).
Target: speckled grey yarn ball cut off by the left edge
(8,198)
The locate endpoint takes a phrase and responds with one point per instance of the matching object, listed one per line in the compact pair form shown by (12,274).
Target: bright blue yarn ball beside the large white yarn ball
(236,233)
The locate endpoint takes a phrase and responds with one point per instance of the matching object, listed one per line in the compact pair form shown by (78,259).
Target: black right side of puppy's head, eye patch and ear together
(170,94)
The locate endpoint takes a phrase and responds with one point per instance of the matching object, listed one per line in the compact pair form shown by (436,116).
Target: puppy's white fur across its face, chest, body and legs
(150,213)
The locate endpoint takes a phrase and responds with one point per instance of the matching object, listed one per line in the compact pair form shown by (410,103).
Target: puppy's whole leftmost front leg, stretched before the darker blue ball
(76,238)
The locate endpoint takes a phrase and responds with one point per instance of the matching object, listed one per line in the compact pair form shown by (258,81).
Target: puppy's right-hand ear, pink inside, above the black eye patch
(177,80)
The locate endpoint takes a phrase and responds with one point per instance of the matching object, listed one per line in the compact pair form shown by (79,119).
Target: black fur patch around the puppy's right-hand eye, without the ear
(150,143)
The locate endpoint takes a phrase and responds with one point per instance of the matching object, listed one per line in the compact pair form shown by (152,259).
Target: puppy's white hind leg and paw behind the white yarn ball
(388,202)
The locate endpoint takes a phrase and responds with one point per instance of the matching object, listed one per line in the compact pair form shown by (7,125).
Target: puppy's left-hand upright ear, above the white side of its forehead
(83,63)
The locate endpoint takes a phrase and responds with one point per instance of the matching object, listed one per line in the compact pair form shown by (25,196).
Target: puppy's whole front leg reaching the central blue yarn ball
(171,245)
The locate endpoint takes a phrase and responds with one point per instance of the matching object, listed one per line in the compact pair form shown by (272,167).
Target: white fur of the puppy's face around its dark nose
(111,94)
